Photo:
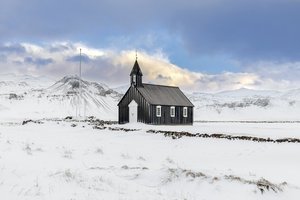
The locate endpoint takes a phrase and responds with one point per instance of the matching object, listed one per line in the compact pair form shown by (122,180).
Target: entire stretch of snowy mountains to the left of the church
(69,96)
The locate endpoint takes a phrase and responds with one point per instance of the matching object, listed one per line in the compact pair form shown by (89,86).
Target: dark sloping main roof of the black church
(163,95)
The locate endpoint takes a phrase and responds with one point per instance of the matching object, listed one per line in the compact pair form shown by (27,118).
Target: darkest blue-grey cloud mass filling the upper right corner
(247,30)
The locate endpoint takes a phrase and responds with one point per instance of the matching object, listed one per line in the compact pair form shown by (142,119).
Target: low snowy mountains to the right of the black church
(246,104)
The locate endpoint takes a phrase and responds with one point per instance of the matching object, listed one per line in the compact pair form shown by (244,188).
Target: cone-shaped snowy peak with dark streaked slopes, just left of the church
(86,98)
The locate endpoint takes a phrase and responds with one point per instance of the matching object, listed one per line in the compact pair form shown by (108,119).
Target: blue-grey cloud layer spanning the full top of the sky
(246,30)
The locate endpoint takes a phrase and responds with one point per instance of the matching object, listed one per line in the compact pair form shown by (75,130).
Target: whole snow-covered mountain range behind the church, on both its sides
(37,97)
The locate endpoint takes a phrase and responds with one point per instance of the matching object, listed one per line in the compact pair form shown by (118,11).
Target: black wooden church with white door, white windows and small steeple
(154,104)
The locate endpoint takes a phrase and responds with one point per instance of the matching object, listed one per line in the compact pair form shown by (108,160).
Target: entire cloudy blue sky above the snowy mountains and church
(198,45)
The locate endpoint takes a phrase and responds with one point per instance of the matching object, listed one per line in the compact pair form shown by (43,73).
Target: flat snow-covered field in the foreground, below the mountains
(71,160)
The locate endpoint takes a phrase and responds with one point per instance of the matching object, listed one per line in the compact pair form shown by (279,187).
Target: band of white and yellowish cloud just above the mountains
(113,66)
